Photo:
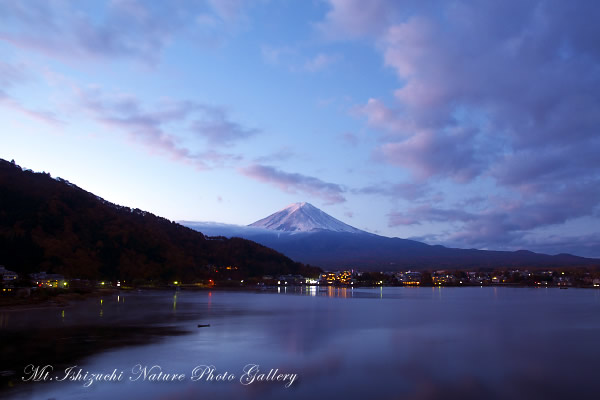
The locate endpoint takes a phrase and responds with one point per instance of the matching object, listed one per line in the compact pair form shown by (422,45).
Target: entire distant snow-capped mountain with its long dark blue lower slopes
(309,235)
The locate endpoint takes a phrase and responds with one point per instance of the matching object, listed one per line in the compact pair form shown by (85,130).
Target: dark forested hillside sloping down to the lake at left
(51,225)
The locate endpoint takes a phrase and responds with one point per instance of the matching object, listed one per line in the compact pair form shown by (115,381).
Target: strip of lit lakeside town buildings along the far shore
(12,284)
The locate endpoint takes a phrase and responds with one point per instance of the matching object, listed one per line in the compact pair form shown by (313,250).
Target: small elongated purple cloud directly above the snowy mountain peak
(331,193)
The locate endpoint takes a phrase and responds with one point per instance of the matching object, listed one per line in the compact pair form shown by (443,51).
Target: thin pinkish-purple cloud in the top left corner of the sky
(120,28)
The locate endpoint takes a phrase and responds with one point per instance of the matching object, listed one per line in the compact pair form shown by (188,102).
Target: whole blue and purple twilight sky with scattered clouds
(467,123)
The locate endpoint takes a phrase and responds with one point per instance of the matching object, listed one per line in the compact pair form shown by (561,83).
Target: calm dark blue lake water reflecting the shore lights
(384,343)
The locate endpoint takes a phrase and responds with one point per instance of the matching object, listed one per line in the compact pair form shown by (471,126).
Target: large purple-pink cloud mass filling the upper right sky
(518,75)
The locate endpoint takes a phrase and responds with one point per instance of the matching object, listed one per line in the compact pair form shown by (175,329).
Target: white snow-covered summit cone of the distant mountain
(303,217)
